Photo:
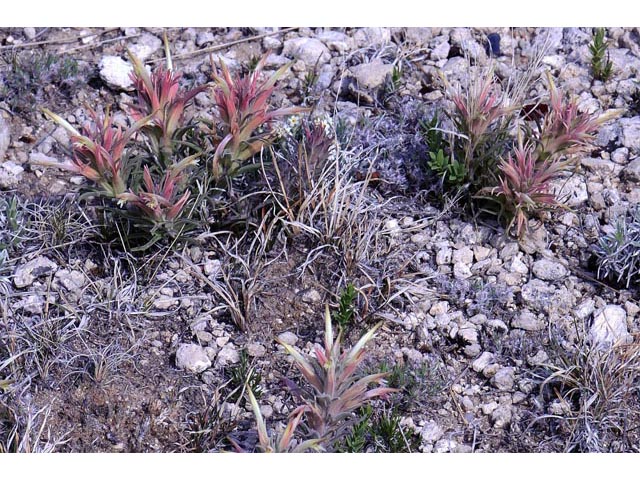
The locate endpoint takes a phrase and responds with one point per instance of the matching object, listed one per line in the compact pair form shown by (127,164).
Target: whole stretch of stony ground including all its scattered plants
(353,240)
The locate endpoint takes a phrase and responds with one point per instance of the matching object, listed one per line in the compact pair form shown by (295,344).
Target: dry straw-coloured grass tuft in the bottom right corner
(593,396)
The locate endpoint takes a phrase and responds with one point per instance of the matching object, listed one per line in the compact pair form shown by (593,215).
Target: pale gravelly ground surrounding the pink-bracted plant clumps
(497,337)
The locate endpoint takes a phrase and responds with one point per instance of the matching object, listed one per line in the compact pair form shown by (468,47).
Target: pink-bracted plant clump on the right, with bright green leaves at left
(516,171)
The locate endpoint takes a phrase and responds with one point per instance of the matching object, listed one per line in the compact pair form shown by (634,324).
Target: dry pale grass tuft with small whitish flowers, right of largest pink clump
(329,202)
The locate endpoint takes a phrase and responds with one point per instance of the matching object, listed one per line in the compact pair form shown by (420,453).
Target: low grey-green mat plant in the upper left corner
(37,78)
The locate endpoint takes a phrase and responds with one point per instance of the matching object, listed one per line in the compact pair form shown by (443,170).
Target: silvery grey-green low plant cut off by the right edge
(618,253)
